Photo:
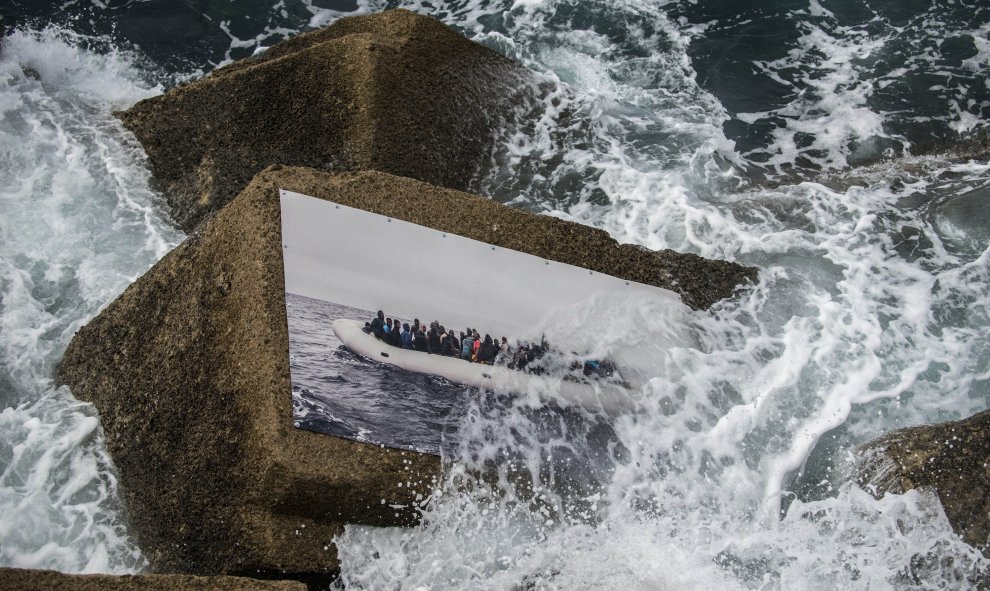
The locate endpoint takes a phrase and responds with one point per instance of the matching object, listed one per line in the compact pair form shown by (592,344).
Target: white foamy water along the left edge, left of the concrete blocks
(79,224)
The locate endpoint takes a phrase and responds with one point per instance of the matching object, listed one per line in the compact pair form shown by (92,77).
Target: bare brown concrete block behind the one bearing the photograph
(395,92)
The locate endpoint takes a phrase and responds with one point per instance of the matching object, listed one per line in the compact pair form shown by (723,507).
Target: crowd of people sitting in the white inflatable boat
(468,345)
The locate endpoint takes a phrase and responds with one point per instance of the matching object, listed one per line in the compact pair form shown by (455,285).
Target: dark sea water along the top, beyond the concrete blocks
(782,71)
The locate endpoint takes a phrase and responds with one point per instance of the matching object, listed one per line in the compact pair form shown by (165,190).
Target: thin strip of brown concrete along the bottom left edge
(15,579)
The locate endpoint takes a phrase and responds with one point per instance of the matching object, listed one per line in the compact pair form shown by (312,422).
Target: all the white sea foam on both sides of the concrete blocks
(870,313)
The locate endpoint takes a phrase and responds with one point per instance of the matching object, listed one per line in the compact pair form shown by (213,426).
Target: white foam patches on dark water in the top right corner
(831,120)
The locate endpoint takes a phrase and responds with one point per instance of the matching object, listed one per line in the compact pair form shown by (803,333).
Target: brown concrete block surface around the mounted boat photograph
(189,371)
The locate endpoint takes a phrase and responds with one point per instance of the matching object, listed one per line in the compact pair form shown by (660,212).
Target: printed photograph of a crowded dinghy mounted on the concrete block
(468,317)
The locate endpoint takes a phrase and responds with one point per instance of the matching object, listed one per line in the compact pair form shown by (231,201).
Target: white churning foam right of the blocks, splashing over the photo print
(870,313)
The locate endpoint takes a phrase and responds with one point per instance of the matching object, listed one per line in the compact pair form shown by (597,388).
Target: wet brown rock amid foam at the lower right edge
(951,458)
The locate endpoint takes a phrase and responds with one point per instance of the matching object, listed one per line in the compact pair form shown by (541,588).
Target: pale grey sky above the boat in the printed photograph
(341,254)
